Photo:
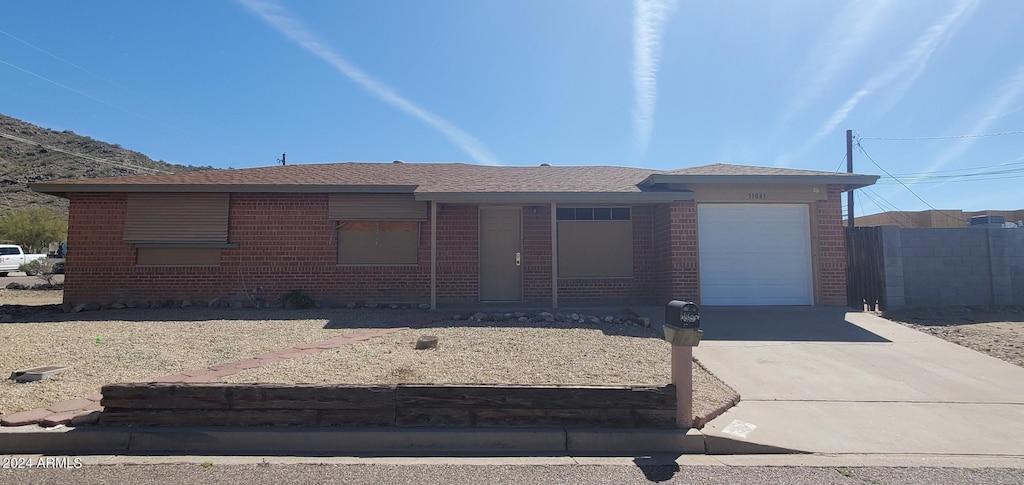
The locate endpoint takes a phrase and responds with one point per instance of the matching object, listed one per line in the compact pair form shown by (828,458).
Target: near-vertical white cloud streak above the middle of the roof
(650,18)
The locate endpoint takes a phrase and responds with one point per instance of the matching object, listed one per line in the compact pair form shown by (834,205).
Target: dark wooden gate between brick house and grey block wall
(866,281)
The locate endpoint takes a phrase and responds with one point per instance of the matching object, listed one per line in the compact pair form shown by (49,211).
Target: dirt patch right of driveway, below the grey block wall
(995,331)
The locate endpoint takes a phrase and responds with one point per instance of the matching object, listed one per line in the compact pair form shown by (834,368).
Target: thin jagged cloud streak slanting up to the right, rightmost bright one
(906,71)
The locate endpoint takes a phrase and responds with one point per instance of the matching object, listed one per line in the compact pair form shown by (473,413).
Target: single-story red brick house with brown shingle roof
(281,237)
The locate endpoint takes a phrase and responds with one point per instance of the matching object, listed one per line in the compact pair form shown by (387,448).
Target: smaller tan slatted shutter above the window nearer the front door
(376,207)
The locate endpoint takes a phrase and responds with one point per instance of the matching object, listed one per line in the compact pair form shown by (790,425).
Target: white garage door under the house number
(755,254)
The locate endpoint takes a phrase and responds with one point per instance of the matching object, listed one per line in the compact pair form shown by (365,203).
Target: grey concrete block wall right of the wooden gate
(931,268)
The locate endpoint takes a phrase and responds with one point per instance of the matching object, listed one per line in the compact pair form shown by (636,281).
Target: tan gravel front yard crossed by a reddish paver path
(125,346)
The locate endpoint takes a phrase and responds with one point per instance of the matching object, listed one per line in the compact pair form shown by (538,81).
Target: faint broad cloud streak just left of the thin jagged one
(844,42)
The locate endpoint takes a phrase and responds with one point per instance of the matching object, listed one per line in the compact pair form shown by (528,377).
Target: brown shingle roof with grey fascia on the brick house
(448,183)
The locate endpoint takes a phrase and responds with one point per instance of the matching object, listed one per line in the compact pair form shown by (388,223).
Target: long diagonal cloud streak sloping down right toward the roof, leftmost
(282,20)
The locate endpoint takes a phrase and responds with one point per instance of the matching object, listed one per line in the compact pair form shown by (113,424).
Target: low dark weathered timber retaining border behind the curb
(401,406)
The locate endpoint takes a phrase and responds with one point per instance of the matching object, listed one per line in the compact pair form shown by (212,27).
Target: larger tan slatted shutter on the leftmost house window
(177,217)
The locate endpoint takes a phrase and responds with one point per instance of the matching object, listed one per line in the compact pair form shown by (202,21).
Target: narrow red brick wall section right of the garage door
(832,250)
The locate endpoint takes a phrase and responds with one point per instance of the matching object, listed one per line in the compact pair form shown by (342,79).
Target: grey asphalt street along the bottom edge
(211,473)
